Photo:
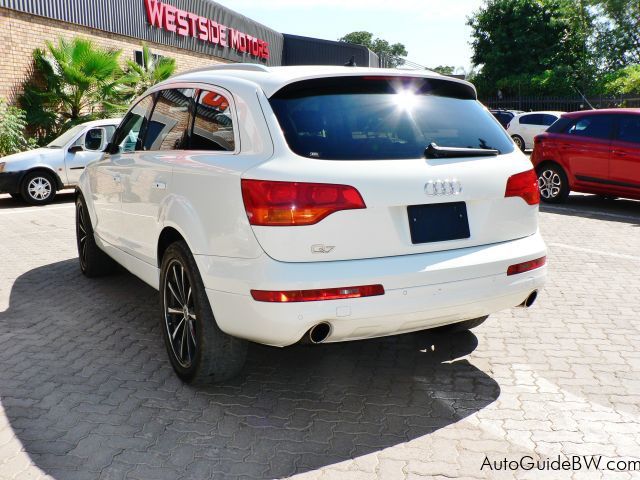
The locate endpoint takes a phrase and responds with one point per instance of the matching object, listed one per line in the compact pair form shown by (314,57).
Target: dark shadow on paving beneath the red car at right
(594,206)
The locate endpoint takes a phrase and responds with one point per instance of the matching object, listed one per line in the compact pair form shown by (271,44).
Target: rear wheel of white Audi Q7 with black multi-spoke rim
(198,350)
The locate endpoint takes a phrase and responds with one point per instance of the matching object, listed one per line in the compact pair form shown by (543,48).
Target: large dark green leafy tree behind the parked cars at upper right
(528,47)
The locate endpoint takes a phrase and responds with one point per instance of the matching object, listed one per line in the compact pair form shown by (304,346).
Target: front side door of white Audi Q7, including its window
(107,178)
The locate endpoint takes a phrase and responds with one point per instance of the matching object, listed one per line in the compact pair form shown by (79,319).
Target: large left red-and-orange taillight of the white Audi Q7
(296,203)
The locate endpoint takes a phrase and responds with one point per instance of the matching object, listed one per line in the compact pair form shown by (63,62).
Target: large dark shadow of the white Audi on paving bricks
(87,389)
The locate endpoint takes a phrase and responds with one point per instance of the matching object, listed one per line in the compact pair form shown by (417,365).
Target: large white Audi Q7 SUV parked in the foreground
(311,203)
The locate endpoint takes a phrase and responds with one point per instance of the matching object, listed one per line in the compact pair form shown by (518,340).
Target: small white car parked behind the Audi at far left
(36,175)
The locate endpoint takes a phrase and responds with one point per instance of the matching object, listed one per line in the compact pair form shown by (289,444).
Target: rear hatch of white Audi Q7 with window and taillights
(386,165)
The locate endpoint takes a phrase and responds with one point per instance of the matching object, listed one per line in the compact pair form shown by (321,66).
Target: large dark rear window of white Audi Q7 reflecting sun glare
(370,118)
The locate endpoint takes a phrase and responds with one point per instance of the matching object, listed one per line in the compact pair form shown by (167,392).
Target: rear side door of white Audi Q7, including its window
(146,180)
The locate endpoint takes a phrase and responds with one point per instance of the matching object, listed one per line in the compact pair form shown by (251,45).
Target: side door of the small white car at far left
(88,147)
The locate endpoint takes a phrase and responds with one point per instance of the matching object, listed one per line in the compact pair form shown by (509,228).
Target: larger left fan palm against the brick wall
(74,81)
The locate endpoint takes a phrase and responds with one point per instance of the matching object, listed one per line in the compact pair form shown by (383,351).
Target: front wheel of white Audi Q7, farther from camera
(93,261)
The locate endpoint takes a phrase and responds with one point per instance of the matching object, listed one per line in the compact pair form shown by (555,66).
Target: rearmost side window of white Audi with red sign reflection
(213,124)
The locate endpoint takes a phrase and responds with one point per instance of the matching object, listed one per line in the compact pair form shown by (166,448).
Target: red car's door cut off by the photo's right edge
(625,152)
